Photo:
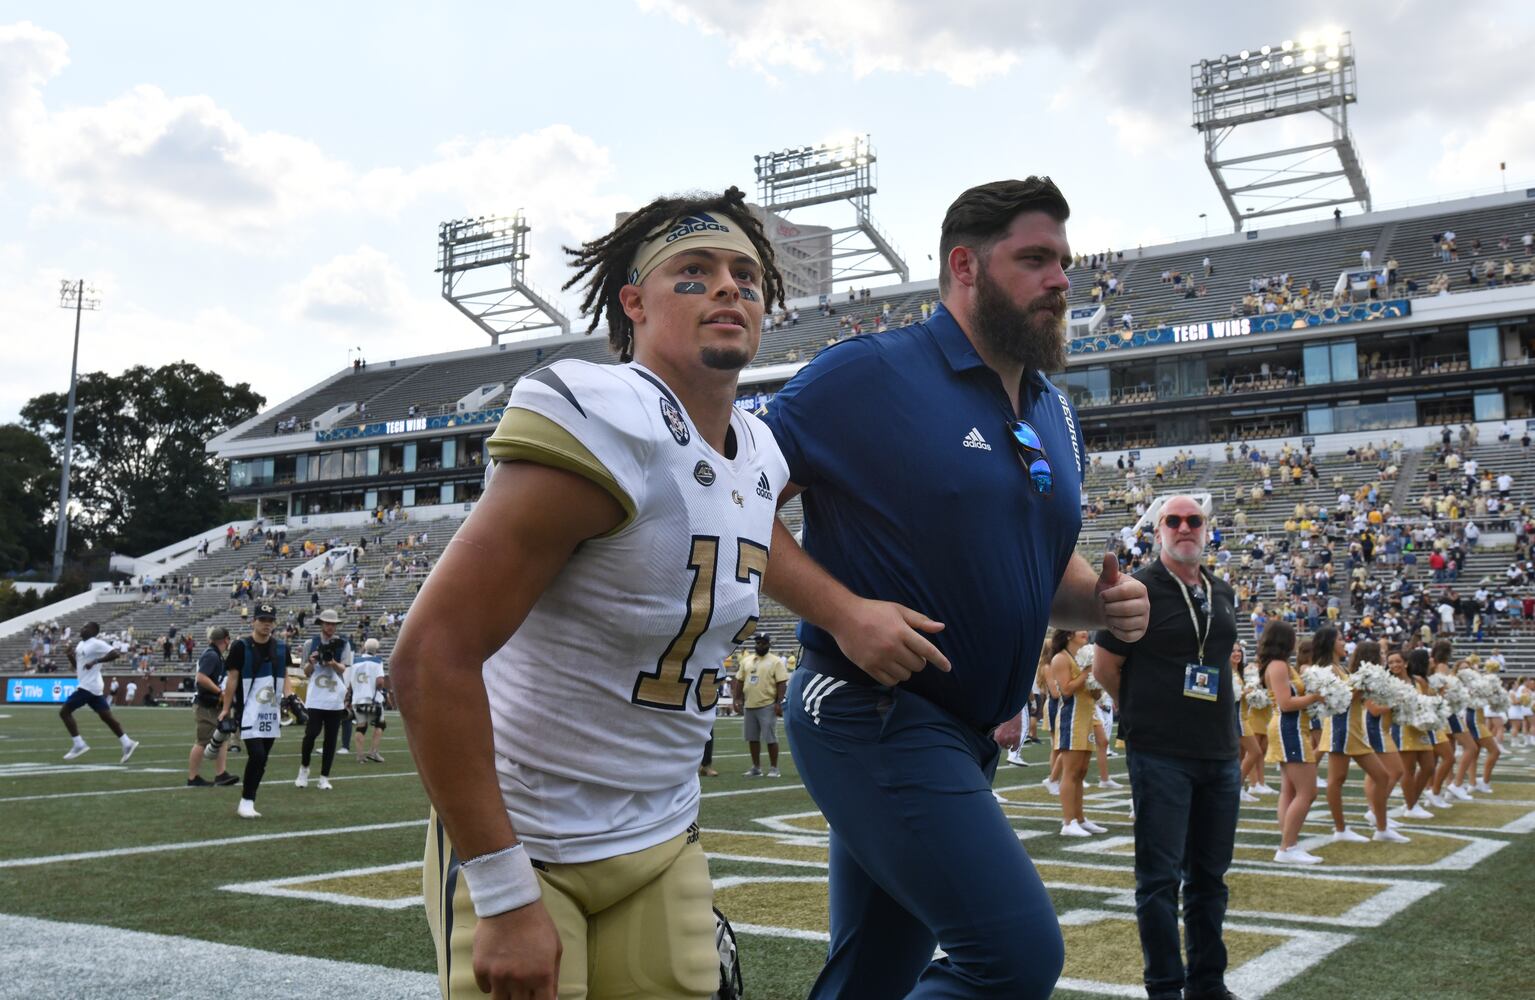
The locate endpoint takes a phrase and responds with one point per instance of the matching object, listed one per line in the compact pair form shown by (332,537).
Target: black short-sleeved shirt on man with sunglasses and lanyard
(1155,715)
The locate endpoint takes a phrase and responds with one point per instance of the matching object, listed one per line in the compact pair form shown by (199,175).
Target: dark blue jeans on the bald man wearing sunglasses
(1186,833)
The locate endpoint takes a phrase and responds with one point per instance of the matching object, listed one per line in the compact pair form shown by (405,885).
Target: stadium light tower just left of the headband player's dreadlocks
(481,262)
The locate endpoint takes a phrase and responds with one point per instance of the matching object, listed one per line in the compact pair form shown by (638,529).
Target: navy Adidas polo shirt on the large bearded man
(917,494)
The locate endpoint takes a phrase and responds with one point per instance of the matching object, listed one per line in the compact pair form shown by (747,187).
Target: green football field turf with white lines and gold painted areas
(117,881)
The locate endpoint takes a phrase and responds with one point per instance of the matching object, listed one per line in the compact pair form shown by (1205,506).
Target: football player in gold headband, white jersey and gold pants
(560,671)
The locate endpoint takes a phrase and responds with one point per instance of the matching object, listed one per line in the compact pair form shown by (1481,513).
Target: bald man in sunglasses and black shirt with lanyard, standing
(1178,718)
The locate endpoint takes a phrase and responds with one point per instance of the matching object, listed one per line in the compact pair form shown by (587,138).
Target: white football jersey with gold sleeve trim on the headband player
(606,697)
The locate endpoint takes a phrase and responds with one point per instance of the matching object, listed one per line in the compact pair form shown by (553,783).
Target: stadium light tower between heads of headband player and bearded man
(827,174)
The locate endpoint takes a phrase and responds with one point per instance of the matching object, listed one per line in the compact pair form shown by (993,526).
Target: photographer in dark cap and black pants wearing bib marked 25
(257,674)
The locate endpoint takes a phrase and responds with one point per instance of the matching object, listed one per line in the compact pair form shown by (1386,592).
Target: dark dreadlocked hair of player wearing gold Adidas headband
(609,259)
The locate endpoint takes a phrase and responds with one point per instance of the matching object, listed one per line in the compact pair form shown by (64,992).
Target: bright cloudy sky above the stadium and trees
(259,190)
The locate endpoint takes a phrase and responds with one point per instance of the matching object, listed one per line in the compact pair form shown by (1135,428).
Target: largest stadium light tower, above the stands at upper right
(1312,76)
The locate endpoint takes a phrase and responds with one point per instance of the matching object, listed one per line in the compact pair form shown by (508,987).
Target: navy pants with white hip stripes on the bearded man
(920,852)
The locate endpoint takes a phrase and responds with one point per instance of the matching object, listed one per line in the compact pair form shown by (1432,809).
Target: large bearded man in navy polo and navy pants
(942,477)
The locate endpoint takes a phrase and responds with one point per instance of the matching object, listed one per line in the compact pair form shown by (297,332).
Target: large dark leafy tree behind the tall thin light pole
(142,474)
